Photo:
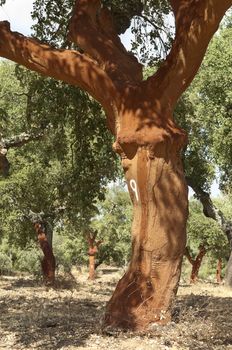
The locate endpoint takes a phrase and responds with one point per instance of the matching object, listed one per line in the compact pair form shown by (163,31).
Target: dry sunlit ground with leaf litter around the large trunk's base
(69,316)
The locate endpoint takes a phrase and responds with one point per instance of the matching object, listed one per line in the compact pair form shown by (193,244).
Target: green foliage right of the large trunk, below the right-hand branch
(205,112)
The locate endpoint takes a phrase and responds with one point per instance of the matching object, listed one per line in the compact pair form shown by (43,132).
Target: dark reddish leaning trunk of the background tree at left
(48,263)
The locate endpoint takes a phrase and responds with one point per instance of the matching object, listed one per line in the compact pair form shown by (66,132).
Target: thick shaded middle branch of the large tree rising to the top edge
(91,27)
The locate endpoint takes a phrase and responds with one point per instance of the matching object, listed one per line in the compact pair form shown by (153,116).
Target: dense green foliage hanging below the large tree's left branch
(69,169)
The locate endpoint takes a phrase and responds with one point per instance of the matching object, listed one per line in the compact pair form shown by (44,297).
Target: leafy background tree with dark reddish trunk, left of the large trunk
(43,178)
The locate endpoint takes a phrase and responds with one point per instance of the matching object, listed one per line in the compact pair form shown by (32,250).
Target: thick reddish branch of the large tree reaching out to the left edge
(66,65)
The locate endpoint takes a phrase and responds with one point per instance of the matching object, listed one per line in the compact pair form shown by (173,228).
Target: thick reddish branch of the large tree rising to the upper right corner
(196,22)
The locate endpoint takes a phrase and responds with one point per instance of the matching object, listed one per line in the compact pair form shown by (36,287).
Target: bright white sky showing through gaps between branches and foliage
(17,12)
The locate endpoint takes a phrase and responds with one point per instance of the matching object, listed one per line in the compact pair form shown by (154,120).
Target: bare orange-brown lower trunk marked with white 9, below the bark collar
(159,194)
